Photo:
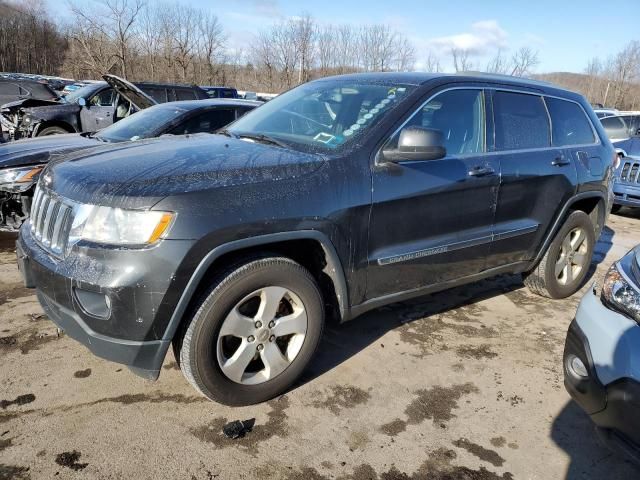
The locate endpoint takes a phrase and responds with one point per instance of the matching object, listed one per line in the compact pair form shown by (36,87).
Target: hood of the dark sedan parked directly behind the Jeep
(33,151)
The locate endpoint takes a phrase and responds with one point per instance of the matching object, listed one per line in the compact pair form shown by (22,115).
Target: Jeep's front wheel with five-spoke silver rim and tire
(253,333)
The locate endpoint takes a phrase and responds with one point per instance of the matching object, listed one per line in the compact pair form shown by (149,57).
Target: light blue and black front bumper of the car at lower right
(606,343)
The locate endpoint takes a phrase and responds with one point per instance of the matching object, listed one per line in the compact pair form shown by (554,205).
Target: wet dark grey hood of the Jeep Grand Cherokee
(138,174)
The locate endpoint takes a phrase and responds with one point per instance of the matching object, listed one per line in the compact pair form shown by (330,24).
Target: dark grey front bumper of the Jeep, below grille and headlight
(142,287)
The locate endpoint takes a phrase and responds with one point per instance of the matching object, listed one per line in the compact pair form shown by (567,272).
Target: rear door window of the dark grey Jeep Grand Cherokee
(521,121)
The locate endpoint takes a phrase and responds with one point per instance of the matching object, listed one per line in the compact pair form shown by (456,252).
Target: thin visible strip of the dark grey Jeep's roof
(420,78)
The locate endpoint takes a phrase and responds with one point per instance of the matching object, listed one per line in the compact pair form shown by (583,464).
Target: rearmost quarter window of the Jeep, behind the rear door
(570,125)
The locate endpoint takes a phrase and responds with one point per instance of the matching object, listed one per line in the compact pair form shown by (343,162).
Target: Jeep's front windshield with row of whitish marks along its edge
(322,115)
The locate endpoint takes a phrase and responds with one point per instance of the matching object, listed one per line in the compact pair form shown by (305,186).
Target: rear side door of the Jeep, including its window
(537,177)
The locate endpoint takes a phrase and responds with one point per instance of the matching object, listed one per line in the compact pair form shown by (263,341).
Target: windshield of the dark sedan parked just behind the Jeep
(143,124)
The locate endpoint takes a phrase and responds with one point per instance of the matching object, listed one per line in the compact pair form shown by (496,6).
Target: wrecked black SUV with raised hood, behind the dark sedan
(89,108)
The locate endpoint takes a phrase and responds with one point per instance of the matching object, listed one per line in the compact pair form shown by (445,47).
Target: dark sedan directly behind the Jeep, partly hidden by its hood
(21,162)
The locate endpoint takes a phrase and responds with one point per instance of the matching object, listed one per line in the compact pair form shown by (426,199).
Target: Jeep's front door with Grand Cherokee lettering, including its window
(431,221)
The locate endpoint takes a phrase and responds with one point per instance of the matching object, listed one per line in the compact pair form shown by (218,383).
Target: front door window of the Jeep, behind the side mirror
(459,115)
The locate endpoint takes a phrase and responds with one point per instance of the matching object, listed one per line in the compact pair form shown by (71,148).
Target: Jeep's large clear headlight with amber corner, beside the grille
(116,226)
